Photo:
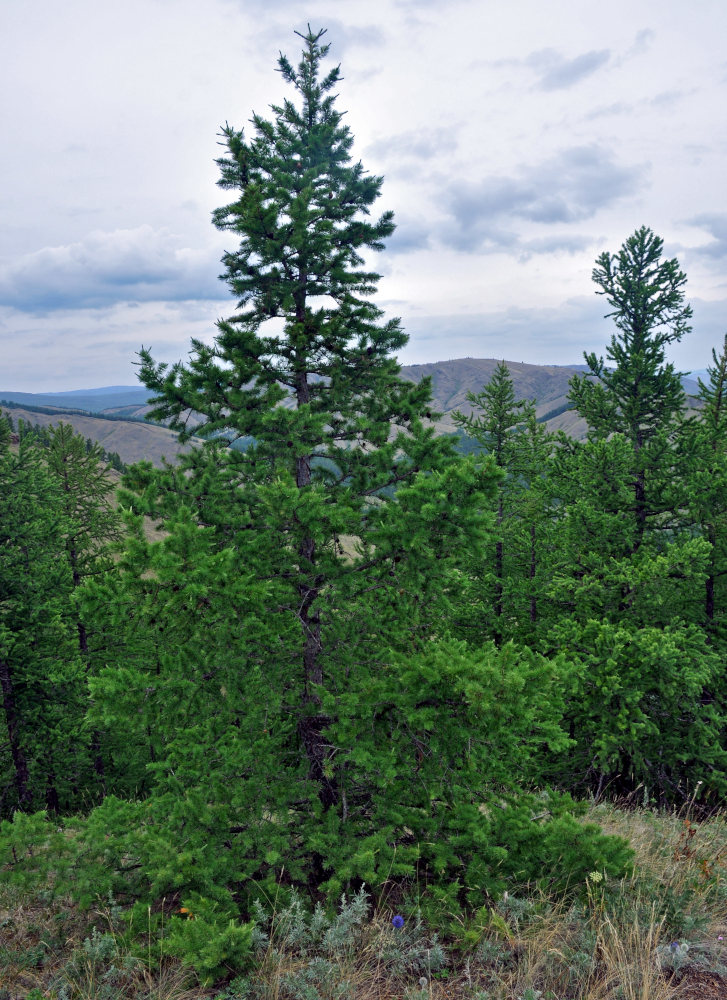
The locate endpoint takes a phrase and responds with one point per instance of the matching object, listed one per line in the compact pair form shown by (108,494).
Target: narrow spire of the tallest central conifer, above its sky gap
(303,205)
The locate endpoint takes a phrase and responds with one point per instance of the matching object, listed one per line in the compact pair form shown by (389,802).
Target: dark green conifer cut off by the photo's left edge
(40,675)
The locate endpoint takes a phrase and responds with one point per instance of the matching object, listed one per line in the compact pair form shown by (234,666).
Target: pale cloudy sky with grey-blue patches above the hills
(517,139)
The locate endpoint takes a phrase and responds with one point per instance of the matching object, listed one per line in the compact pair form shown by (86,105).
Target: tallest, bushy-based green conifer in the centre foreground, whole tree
(288,656)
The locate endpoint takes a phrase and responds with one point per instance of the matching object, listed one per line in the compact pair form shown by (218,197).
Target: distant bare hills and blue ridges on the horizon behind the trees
(547,385)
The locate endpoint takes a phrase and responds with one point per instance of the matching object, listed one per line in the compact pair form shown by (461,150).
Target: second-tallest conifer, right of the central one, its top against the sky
(630,561)
